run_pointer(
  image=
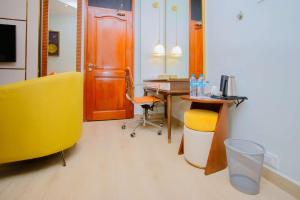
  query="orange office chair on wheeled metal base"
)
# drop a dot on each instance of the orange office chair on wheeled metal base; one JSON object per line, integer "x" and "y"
{"x": 146, "y": 102}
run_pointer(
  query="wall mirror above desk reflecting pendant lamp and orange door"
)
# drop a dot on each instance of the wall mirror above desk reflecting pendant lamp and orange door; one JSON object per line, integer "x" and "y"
{"x": 184, "y": 38}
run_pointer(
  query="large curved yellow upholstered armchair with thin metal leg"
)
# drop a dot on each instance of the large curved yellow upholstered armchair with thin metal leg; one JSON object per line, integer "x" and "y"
{"x": 40, "y": 117}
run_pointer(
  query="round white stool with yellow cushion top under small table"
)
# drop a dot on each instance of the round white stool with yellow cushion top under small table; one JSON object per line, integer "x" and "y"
{"x": 198, "y": 134}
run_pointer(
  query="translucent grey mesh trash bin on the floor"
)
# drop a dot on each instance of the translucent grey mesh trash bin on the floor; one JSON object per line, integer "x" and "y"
{"x": 245, "y": 161}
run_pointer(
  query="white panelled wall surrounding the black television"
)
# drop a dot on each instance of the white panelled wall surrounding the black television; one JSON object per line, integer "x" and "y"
{"x": 14, "y": 12}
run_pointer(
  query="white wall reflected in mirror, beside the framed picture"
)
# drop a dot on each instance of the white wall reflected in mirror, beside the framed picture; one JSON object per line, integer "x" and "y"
{"x": 66, "y": 25}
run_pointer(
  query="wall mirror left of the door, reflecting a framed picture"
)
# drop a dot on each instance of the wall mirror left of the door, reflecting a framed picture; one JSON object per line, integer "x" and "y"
{"x": 61, "y": 36}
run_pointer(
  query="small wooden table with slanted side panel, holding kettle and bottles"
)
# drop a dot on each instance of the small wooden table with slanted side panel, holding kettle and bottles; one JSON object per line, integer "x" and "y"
{"x": 217, "y": 156}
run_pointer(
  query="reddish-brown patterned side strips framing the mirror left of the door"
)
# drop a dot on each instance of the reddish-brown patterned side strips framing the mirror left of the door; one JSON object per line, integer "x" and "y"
{"x": 44, "y": 20}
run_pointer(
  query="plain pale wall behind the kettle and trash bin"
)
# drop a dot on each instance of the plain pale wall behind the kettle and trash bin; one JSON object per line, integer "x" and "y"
{"x": 262, "y": 51}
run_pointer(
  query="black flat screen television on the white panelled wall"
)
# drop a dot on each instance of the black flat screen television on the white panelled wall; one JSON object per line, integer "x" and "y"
{"x": 7, "y": 43}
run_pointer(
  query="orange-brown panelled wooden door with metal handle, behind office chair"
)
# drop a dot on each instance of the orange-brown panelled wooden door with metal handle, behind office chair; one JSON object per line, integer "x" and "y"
{"x": 109, "y": 52}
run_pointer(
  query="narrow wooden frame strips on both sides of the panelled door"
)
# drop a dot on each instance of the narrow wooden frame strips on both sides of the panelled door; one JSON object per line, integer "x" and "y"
{"x": 85, "y": 7}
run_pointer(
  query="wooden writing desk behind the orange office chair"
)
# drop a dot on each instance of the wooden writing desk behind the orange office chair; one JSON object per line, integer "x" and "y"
{"x": 168, "y": 88}
